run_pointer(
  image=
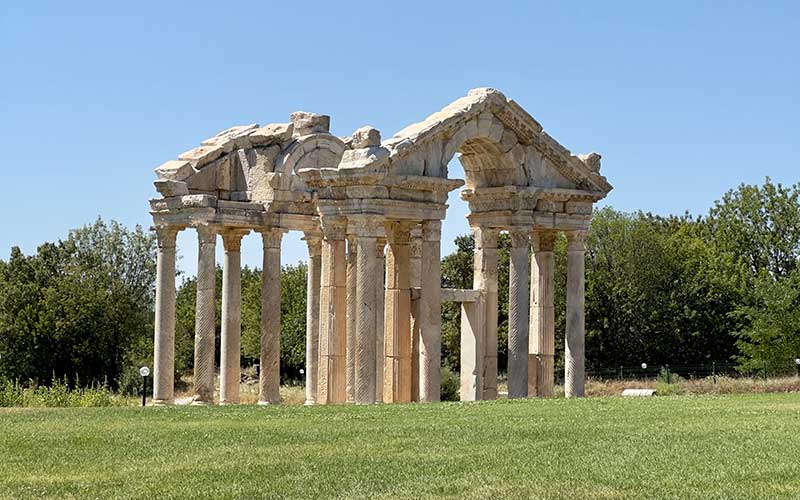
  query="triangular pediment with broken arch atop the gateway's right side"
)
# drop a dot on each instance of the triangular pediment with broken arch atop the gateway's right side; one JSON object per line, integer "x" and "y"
{"x": 499, "y": 144}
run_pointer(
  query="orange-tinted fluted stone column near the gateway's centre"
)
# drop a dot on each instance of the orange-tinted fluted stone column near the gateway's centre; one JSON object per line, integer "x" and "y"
{"x": 397, "y": 341}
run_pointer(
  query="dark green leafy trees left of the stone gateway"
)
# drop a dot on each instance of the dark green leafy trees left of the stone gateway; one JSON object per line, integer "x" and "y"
{"x": 79, "y": 309}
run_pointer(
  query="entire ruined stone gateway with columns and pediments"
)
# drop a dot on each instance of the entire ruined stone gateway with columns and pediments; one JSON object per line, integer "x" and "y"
{"x": 371, "y": 213}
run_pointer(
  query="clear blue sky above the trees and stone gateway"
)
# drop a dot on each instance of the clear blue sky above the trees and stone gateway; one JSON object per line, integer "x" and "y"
{"x": 684, "y": 100}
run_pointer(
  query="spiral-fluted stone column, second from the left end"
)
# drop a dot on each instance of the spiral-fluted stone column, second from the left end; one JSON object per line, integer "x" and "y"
{"x": 205, "y": 323}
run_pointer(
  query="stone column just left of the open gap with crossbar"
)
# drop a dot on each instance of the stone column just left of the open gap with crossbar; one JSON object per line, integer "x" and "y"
{"x": 430, "y": 313}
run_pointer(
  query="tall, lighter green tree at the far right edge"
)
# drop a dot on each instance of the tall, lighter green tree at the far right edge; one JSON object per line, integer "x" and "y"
{"x": 756, "y": 229}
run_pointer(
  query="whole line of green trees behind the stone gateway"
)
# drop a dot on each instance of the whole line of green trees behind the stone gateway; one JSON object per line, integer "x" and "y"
{"x": 724, "y": 286}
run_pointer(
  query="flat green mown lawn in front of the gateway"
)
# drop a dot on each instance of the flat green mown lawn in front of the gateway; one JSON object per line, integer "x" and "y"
{"x": 670, "y": 447}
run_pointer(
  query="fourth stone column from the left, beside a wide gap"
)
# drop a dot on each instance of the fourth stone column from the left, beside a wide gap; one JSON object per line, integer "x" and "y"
{"x": 270, "y": 379}
